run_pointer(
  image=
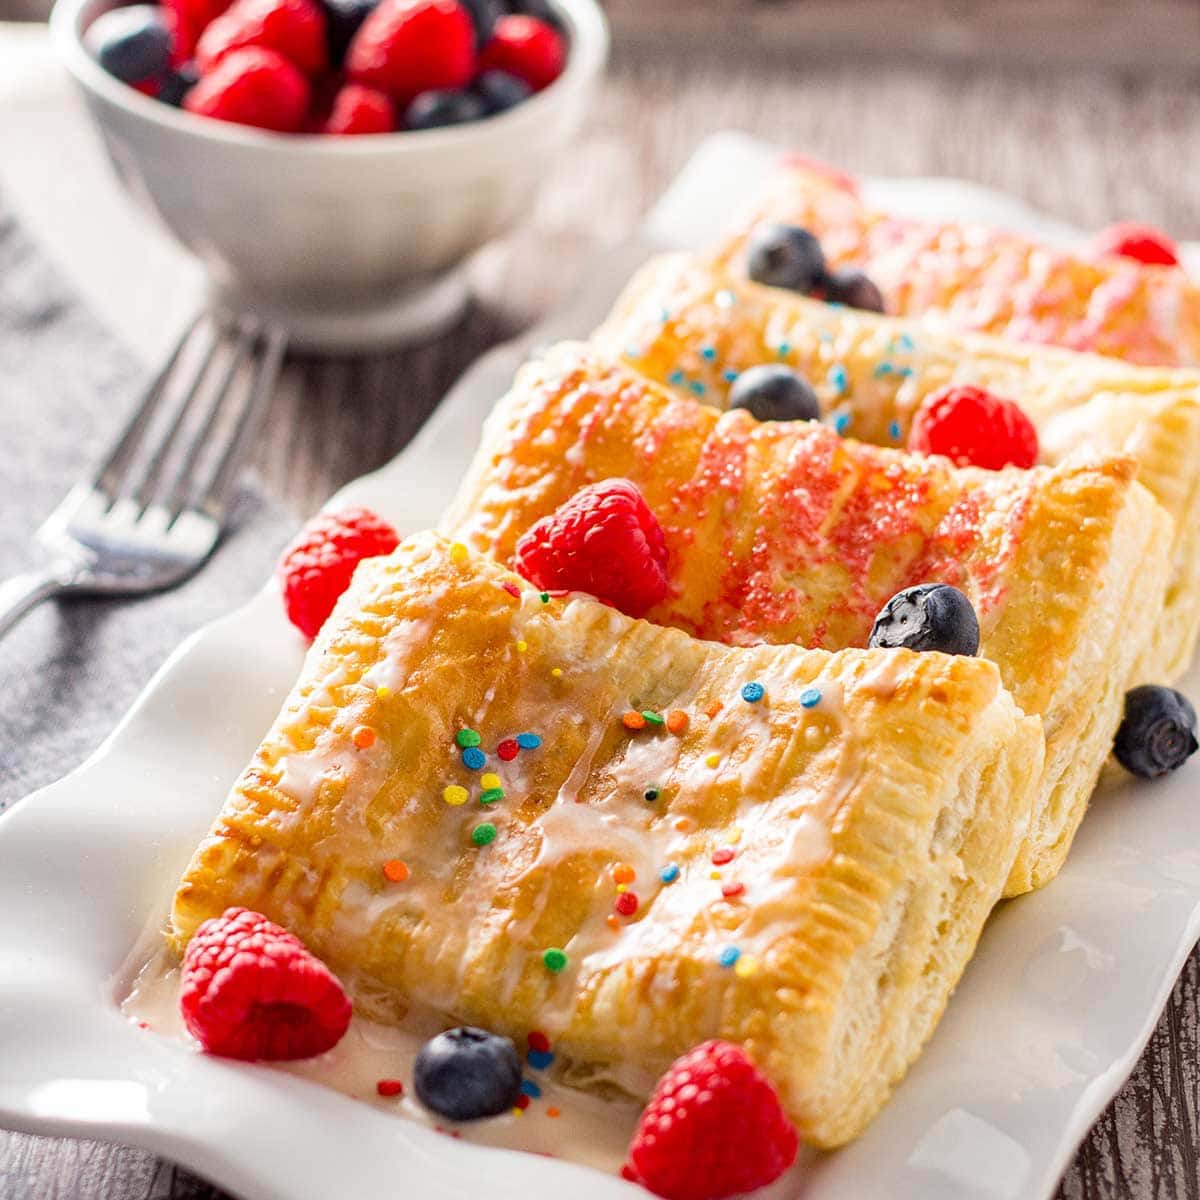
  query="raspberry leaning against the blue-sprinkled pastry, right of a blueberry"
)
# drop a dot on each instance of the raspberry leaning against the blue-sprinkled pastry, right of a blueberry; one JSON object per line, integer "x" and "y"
{"x": 975, "y": 429}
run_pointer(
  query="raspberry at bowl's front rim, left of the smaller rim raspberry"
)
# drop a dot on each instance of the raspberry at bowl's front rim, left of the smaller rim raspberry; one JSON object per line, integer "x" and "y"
{"x": 253, "y": 87}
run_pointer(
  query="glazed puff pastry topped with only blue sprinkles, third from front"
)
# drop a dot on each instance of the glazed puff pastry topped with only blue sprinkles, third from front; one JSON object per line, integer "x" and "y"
{"x": 689, "y": 325}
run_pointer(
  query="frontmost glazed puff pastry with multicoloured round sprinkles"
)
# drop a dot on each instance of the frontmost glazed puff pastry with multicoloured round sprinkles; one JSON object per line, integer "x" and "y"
{"x": 872, "y": 803}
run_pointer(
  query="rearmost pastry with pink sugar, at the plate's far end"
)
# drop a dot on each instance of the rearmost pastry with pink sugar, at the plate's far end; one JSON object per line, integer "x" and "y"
{"x": 986, "y": 280}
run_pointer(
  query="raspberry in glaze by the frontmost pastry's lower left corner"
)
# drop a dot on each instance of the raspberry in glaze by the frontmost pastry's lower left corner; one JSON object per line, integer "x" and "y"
{"x": 251, "y": 991}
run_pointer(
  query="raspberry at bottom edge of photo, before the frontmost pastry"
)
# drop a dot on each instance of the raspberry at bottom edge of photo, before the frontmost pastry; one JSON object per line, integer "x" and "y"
{"x": 713, "y": 1129}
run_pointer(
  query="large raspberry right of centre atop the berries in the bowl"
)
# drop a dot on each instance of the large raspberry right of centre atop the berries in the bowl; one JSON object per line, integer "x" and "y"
{"x": 407, "y": 47}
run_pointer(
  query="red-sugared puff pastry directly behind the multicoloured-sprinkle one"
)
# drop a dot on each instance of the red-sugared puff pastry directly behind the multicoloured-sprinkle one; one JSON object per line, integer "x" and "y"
{"x": 791, "y": 533}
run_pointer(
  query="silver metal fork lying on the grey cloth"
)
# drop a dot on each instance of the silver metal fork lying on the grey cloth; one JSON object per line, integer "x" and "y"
{"x": 155, "y": 509}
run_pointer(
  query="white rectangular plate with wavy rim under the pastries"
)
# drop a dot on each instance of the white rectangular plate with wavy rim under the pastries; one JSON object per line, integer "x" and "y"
{"x": 1053, "y": 1013}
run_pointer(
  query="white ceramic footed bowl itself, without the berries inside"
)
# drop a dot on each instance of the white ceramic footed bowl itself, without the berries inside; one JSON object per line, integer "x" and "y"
{"x": 353, "y": 242}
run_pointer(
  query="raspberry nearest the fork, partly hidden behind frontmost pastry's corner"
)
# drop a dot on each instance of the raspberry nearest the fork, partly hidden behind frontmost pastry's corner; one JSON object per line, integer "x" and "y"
{"x": 316, "y": 569}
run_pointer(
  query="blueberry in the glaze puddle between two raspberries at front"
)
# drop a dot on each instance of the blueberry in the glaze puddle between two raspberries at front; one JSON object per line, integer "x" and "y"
{"x": 465, "y": 1075}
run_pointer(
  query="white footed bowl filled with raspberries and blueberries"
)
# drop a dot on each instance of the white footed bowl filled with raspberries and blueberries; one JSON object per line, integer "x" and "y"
{"x": 334, "y": 164}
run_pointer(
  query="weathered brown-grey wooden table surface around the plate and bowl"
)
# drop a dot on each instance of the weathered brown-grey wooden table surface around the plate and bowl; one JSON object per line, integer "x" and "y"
{"x": 1091, "y": 147}
